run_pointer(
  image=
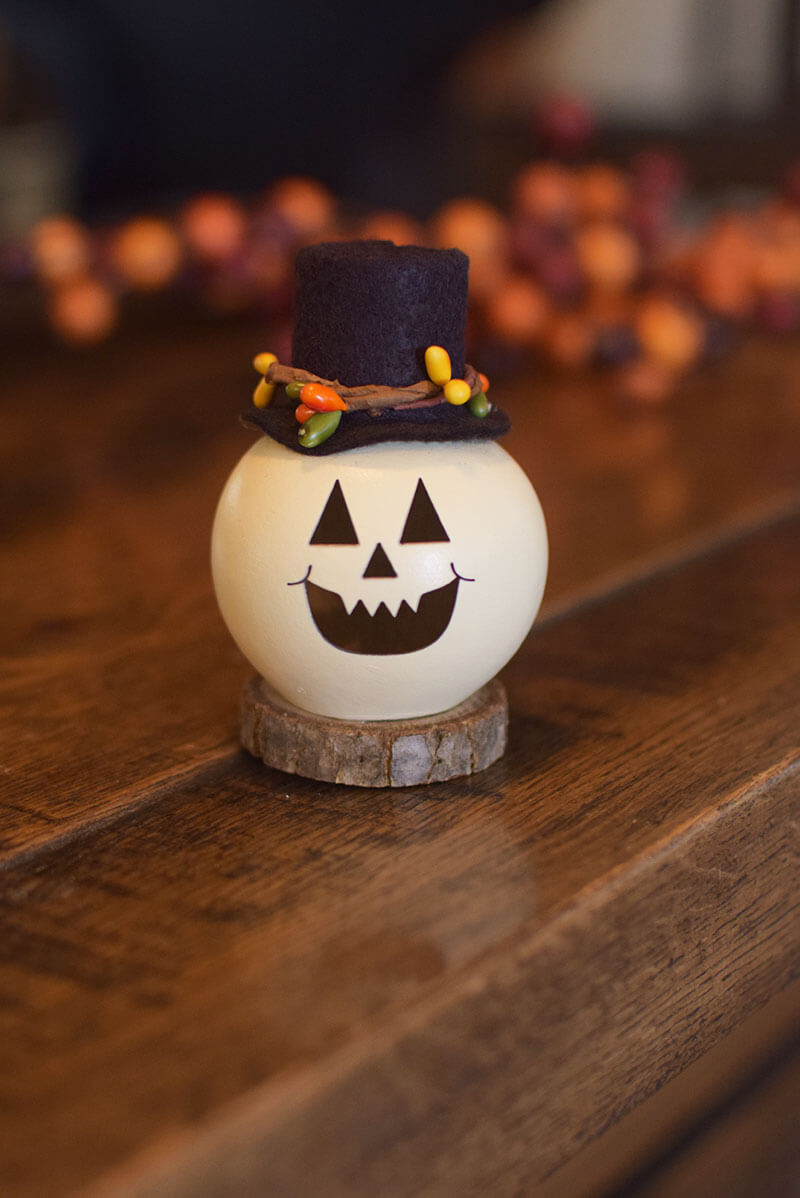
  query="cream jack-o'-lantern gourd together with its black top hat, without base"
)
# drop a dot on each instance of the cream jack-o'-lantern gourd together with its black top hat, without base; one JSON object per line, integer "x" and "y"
{"x": 377, "y": 555}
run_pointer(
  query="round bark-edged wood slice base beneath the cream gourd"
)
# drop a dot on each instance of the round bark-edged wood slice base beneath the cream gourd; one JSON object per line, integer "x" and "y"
{"x": 462, "y": 741}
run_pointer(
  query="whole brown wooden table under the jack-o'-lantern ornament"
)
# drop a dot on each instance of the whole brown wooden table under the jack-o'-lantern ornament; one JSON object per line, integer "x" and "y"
{"x": 217, "y": 979}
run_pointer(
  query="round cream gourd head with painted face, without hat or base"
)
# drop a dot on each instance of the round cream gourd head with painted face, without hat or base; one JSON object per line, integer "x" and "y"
{"x": 384, "y": 583}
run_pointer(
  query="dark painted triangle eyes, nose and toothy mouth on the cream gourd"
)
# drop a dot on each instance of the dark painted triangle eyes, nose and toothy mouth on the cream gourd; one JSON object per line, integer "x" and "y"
{"x": 409, "y": 630}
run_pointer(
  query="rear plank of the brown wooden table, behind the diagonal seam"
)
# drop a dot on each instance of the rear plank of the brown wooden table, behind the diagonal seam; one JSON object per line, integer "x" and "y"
{"x": 113, "y": 463}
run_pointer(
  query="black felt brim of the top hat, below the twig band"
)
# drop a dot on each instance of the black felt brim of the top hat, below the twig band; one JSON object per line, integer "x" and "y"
{"x": 443, "y": 422}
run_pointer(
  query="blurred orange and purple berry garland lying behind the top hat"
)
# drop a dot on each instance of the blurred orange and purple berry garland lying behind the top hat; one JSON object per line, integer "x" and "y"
{"x": 589, "y": 267}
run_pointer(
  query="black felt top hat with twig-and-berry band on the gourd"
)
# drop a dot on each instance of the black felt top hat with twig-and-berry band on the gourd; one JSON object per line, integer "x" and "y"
{"x": 366, "y": 313}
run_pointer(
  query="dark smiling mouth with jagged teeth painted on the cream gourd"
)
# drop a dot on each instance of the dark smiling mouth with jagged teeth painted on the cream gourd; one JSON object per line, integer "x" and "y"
{"x": 381, "y": 634}
